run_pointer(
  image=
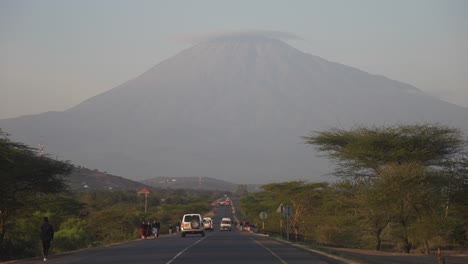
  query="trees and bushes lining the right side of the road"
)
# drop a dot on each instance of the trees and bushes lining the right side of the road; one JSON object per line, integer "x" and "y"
{"x": 399, "y": 188}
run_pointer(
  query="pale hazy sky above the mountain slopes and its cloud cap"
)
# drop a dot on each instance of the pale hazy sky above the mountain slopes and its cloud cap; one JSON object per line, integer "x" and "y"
{"x": 55, "y": 54}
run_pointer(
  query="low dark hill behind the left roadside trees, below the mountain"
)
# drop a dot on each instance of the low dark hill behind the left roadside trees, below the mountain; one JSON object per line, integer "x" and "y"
{"x": 82, "y": 179}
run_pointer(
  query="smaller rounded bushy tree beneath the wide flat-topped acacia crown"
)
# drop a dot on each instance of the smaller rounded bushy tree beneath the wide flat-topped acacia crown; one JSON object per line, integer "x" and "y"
{"x": 414, "y": 202}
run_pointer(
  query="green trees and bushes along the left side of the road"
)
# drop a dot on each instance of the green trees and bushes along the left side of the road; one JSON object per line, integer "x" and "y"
{"x": 33, "y": 186}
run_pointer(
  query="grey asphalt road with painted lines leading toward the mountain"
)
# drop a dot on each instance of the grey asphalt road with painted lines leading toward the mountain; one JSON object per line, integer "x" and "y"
{"x": 216, "y": 247}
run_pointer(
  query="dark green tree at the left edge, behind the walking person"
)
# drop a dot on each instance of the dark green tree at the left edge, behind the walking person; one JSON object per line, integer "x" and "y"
{"x": 24, "y": 175}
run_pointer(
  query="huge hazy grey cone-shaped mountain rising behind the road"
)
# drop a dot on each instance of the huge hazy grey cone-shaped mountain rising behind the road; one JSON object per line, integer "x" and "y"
{"x": 231, "y": 108}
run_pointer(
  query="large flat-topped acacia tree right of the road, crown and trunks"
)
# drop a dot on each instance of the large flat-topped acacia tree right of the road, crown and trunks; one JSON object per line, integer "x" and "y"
{"x": 363, "y": 155}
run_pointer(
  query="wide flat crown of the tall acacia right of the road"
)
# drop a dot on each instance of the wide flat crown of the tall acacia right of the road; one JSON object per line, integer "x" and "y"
{"x": 367, "y": 150}
